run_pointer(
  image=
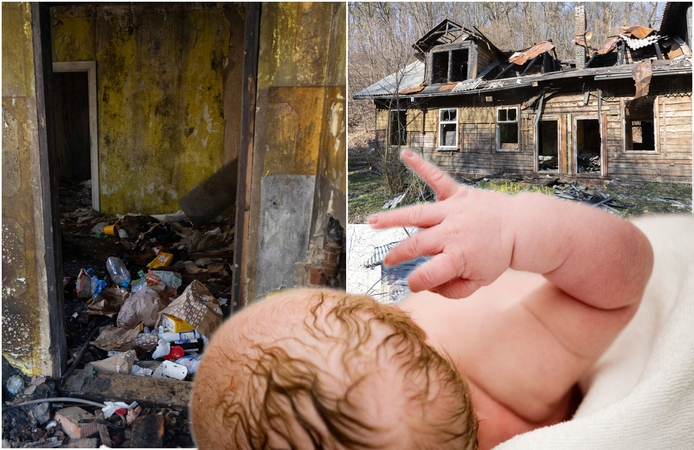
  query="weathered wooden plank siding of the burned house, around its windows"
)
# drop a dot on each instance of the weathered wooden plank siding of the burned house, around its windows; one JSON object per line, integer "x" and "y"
{"x": 477, "y": 155}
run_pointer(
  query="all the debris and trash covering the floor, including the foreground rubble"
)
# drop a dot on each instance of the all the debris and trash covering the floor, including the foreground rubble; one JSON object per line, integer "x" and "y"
{"x": 142, "y": 294}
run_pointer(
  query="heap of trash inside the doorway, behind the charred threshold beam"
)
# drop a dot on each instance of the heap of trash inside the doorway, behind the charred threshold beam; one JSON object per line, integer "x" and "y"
{"x": 164, "y": 290}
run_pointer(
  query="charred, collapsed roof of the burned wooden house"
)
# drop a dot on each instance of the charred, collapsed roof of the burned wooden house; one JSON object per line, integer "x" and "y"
{"x": 672, "y": 56}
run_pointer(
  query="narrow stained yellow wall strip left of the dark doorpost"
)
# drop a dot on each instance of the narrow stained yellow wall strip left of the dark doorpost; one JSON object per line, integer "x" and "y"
{"x": 25, "y": 325}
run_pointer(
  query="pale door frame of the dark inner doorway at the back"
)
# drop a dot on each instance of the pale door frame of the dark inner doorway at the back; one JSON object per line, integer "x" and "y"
{"x": 90, "y": 68}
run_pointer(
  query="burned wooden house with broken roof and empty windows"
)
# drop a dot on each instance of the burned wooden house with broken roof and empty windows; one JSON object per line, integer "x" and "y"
{"x": 621, "y": 111}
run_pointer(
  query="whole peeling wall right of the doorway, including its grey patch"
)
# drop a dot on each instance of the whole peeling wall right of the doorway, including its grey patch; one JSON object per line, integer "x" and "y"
{"x": 300, "y": 137}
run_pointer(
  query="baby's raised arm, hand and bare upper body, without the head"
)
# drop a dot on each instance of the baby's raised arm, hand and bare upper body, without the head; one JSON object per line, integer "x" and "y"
{"x": 530, "y": 355}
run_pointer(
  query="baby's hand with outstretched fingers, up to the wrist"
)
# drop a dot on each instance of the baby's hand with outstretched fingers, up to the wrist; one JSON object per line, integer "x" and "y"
{"x": 464, "y": 232}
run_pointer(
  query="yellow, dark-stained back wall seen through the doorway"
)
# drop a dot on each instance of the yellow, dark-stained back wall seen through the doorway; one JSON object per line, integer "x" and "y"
{"x": 160, "y": 100}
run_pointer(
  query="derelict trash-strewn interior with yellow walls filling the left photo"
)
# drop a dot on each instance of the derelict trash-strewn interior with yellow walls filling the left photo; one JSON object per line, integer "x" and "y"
{"x": 139, "y": 130}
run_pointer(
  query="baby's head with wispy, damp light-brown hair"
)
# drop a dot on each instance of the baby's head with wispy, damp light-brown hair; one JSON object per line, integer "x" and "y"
{"x": 325, "y": 369}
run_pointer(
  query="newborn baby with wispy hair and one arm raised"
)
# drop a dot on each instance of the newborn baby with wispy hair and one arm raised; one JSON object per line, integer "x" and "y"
{"x": 326, "y": 369}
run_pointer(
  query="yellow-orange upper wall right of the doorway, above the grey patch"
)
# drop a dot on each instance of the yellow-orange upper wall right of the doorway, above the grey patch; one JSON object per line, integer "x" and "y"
{"x": 301, "y": 68}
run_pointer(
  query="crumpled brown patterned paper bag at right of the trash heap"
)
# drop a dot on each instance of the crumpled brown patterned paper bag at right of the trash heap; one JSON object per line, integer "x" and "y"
{"x": 197, "y": 306}
